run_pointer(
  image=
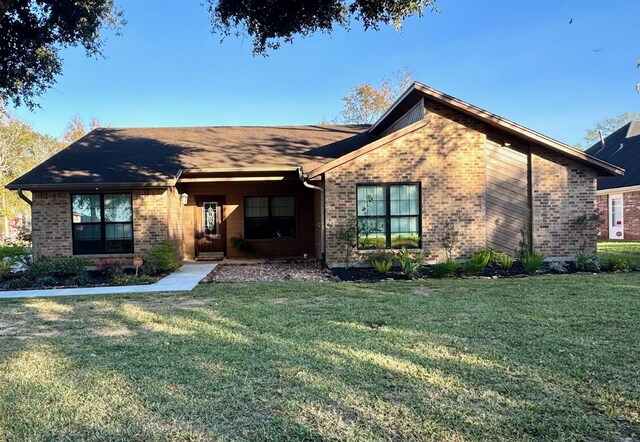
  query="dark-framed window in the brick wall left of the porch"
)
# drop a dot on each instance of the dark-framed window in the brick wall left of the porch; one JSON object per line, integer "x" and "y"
{"x": 102, "y": 223}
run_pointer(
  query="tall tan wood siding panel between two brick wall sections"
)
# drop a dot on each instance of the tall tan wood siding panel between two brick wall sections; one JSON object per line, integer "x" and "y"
{"x": 507, "y": 196}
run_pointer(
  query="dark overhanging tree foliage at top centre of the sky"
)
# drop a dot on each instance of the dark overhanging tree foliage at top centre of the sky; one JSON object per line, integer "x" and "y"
{"x": 271, "y": 22}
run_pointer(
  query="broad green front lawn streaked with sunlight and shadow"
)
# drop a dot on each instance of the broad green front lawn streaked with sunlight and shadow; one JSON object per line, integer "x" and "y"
{"x": 542, "y": 358}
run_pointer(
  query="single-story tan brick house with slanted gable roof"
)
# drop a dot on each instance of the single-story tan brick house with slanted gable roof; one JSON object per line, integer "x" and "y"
{"x": 430, "y": 160}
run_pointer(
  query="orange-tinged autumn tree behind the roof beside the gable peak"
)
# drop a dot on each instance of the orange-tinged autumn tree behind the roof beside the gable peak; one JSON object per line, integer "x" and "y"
{"x": 365, "y": 103}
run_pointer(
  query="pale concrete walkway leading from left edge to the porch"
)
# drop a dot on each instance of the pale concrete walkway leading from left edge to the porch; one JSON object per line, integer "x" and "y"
{"x": 184, "y": 280}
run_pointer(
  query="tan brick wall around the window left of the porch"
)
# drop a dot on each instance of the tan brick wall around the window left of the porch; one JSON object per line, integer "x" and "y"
{"x": 51, "y": 220}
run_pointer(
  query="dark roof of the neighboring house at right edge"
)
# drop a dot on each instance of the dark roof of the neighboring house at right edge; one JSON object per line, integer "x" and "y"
{"x": 621, "y": 148}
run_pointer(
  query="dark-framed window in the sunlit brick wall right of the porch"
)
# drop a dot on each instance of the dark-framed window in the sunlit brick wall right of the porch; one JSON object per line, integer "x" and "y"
{"x": 388, "y": 216}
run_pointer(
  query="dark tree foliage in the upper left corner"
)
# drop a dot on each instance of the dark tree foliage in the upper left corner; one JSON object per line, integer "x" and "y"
{"x": 32, "y": 33}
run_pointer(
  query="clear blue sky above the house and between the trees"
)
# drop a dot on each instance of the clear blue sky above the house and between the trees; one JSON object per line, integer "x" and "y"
{"x": 521, "y": 60}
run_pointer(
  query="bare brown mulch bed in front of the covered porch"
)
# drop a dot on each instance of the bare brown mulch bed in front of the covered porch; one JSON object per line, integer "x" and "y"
{"x": 288, "y": 270}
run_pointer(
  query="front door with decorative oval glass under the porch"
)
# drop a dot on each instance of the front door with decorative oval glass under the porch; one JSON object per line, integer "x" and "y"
{"x": 210, "y": 227}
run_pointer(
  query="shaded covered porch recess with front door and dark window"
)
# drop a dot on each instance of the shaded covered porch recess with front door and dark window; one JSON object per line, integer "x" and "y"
{"x": 248, "y": 213}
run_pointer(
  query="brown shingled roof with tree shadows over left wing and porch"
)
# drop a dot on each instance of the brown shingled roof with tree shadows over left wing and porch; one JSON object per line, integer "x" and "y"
{"x": 144, "y": 156}
